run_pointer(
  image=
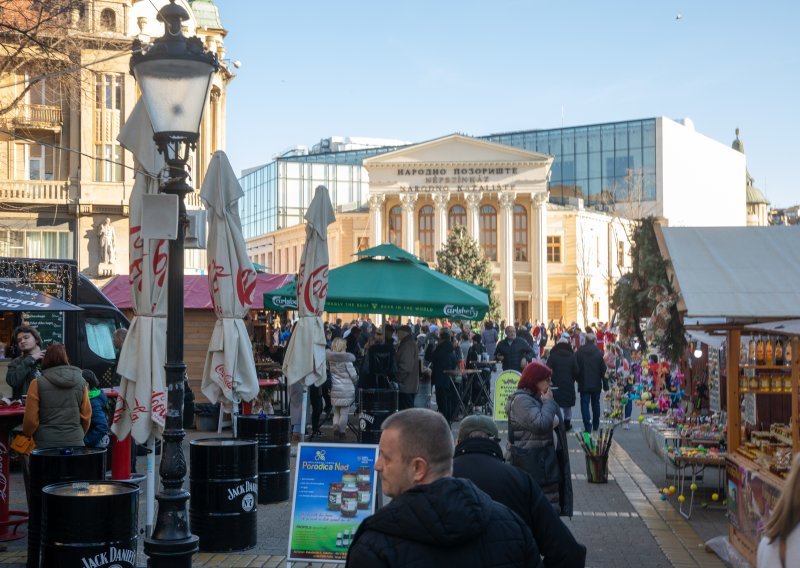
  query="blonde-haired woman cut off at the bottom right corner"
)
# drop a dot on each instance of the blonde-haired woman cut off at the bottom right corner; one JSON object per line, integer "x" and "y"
{"x": 780, "y": 544}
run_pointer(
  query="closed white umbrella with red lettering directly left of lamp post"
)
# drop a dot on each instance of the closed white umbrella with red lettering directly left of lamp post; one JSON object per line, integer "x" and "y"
{"x": 141, "y": 405}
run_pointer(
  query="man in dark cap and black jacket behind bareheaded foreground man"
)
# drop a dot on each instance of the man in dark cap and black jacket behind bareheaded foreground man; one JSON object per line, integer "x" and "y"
{"x": 478, "y": 457}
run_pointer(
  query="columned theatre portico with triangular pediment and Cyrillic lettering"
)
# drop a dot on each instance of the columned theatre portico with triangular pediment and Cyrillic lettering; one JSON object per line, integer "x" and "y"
{"x": 419, "y": 193}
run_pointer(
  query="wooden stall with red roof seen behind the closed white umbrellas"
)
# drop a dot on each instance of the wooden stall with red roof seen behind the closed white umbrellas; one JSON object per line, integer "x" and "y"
{"x": 199, "y": 316}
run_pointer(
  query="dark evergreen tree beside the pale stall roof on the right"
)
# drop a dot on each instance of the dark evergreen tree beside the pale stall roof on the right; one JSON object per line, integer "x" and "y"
{"x": 646, "y": 294}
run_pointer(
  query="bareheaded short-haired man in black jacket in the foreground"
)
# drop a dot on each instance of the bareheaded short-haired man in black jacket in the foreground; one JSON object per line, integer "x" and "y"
{"x": 435, "y": 519}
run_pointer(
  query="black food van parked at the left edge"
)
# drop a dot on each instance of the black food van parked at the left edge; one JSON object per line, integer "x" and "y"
{"x": 86, "y": 334}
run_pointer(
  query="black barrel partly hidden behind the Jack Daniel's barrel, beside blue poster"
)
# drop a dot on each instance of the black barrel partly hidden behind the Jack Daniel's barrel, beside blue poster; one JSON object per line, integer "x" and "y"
{"x": 272, "y": 434}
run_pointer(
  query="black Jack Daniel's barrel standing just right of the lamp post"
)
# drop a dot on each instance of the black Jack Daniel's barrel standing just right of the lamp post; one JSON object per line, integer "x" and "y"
{"x": 224, "y": 493}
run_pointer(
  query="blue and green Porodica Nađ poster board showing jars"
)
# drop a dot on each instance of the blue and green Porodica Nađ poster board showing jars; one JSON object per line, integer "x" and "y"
{"x": 334, "y": 490}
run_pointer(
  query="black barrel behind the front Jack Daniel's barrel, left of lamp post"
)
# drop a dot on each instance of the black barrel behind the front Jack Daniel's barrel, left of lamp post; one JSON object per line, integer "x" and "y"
{"x": 56, "y": 465}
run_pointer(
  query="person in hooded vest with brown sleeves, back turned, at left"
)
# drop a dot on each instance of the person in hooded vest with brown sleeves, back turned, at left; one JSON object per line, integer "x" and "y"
{"x": 57, "y": 411}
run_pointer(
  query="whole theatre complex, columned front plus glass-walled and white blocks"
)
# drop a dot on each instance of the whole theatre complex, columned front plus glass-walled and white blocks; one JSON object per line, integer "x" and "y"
{"x": 536, "y": 201}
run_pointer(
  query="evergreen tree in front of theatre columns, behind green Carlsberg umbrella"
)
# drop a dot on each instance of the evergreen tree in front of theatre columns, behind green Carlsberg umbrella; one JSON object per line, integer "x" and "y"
{"x": 462, "y": 258}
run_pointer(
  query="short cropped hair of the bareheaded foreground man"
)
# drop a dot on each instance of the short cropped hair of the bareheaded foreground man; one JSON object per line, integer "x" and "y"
{"x": 426, "y": 434}
